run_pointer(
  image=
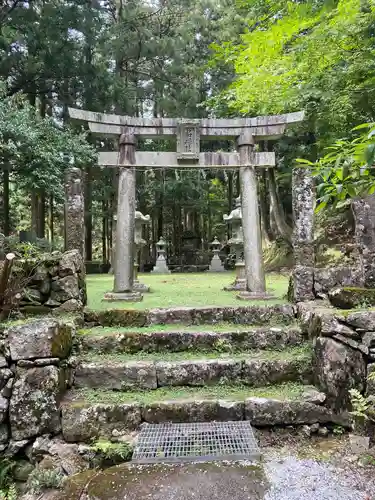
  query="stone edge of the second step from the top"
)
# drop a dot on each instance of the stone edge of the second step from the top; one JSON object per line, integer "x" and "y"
{"x": 222, "y": 338}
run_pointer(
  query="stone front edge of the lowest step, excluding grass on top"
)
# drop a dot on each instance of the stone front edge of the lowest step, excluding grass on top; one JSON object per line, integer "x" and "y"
{"x": 84, "y": 422}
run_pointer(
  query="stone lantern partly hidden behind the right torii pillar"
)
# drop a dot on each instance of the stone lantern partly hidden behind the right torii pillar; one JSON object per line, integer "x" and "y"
{"x": 234, "y": 219}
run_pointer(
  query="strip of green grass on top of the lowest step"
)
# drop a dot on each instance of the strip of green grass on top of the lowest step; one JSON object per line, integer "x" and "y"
{"x": 228, "y": 392}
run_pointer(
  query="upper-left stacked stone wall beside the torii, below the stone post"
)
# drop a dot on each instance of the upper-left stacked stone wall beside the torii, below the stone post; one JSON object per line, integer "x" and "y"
{"x": 54, "y": 283}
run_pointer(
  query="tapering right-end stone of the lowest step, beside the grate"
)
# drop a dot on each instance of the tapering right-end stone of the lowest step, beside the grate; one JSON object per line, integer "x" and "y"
{"x": 269, "y": 412}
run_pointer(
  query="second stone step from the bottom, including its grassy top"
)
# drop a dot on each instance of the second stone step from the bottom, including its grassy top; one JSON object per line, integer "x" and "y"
{"x": 257, "y": 368}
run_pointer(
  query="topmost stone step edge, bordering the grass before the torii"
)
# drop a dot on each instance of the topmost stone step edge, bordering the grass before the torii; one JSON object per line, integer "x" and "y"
{"x": 250, "y": 315}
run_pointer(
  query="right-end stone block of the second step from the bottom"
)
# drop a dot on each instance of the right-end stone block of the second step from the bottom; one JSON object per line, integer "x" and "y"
{"x": 262, "y": 372}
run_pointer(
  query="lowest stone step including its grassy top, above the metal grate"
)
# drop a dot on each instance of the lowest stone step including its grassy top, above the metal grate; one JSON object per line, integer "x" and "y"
{"x": 93, "y": 414}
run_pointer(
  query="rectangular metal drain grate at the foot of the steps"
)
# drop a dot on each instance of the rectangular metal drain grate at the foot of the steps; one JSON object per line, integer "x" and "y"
{"x": 211, "y": 441}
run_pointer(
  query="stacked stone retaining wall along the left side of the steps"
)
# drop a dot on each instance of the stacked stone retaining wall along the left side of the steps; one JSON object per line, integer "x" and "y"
{"x": 33, "y": 378}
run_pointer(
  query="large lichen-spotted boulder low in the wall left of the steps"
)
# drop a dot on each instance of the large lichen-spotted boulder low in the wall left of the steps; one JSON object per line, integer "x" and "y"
{"x": 34, "y": 406}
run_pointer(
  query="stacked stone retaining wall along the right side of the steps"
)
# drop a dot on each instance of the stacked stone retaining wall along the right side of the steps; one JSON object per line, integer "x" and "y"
{"x": 344, "y": 350}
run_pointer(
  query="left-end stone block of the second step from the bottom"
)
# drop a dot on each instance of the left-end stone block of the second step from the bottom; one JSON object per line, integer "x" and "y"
{"x": 116, "y": 375}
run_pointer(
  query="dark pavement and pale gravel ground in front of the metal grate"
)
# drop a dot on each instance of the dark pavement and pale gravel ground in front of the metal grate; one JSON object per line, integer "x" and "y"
{"x": 281, "y": 475}
